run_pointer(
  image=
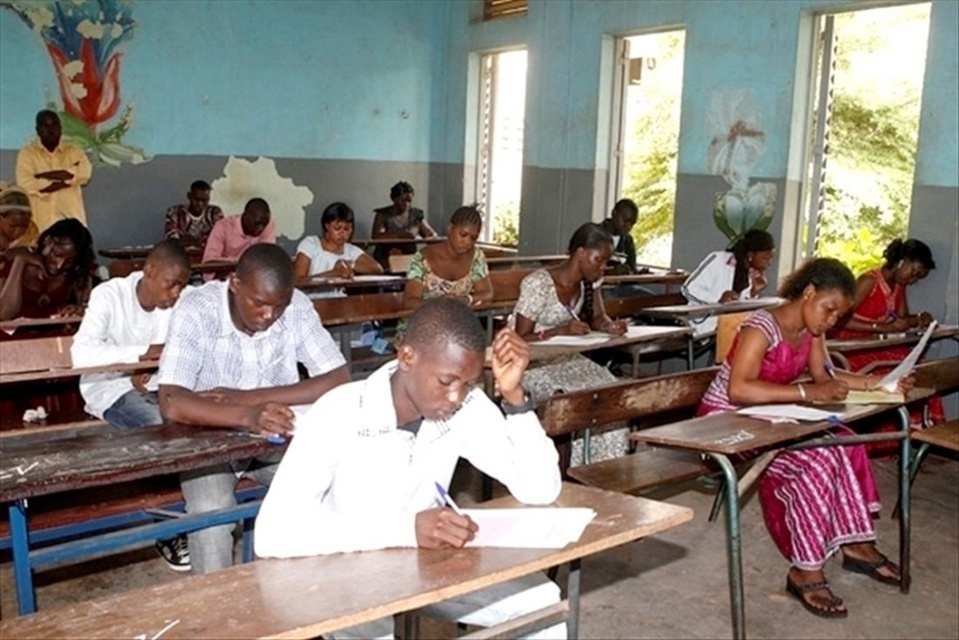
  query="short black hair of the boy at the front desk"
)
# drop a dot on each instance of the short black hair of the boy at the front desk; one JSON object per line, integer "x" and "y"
{"x": 440, "y": 321}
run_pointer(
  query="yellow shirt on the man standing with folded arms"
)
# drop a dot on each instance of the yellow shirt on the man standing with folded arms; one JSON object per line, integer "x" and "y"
{"x": 65, "y": 203}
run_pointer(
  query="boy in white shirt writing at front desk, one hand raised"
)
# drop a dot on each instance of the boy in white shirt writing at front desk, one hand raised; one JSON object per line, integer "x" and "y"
{"x": 360, "y": 473}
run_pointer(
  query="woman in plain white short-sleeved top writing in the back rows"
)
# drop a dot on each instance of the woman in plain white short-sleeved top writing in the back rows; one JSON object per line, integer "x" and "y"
{"x": 331, "y": 254}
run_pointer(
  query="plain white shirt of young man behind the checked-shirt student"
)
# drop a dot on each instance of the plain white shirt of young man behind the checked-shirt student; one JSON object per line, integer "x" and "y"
{"x": 115, "y": 329}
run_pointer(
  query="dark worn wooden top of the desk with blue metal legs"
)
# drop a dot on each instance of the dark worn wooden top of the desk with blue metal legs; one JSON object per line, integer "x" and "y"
{"x": 36, "y": 465}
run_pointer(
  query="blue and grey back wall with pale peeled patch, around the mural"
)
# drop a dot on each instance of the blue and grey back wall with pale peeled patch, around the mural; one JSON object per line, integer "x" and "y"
{"x": 339, "y": 94}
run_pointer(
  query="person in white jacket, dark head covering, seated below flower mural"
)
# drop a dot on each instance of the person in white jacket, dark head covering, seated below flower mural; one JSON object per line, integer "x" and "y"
{"x": 727, "y": 276}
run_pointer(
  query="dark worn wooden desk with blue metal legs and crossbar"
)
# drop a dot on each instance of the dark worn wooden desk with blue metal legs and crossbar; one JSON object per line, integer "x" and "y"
{"x": 32, "y": 466}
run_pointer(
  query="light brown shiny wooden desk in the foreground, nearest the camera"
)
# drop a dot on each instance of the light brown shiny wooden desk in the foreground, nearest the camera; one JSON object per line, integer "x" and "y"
{"x": 310, "y": 597}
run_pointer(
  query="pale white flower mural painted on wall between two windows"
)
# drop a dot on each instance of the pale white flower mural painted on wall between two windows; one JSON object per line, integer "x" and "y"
{"x": 737, "y": 142}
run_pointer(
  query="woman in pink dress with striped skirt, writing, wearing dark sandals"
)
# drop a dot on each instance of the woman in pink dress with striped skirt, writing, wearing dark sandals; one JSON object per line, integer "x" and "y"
{"x": 815, "y": 501}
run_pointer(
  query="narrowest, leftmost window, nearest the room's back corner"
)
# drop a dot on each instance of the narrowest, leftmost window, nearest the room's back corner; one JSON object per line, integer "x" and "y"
{"x": 499, "y": 143}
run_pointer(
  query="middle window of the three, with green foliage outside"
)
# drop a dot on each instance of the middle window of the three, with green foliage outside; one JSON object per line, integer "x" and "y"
{"x": 645, "y": 137}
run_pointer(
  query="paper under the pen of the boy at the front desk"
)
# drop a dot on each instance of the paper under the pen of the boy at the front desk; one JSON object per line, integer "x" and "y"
{"x": 529, "y": 527}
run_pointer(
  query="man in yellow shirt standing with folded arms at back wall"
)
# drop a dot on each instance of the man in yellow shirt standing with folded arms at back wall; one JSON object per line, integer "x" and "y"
{"x": 52, "y": 172}
